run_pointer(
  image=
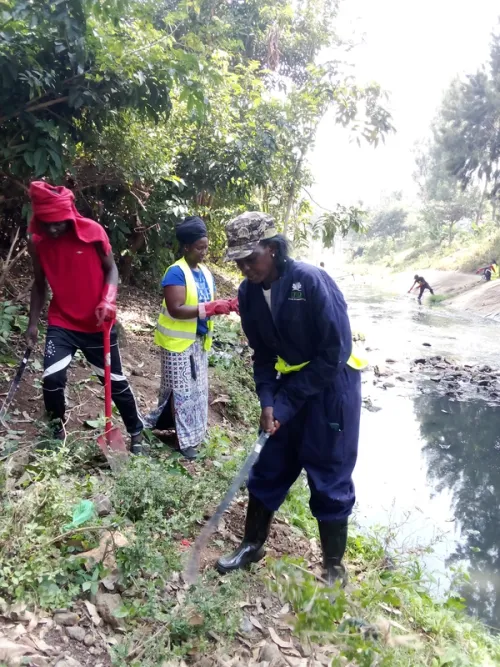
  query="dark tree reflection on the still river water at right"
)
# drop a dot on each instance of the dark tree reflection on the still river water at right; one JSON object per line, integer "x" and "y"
{"x": 463, "y": 454}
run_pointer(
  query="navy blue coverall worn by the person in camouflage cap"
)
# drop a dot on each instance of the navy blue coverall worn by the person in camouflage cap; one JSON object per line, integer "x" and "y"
{"x": 319, "y": 406}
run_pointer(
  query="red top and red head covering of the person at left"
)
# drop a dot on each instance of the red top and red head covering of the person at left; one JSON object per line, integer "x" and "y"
{"x": 71, "y": 263}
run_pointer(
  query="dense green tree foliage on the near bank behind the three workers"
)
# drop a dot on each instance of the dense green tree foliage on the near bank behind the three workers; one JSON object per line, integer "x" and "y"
{"x": 151, "y": 109}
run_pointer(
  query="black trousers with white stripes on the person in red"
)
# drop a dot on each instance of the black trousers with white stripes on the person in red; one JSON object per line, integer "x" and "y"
{"x": 60, "y": 347}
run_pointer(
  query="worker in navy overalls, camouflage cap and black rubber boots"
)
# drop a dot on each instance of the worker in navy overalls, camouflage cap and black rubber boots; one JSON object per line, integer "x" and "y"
{"x": 295, "y": 318}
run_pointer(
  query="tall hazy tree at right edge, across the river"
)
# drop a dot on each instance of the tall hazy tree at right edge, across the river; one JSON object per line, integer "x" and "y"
{"x": 461, "y": 166}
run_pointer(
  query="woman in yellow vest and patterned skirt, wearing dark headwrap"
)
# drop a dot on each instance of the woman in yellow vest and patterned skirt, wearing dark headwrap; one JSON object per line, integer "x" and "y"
{"x": 184, "y": 334}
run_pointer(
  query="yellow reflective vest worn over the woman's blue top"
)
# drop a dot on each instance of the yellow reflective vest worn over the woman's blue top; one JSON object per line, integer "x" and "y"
{"x": 178, "y": 335}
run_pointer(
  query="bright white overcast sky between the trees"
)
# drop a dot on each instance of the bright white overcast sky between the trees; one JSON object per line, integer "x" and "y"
{"x": 413, "y": 49}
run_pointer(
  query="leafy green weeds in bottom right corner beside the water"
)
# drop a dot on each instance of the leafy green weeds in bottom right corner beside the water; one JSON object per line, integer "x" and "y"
{"x": 388, "y": 618}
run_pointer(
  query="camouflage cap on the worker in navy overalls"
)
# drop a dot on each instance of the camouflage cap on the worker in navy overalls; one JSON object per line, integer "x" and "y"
{"x": 246, "y": 231}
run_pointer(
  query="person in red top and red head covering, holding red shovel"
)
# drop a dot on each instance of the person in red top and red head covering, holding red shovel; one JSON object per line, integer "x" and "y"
{"x": 73, "y": 255}
